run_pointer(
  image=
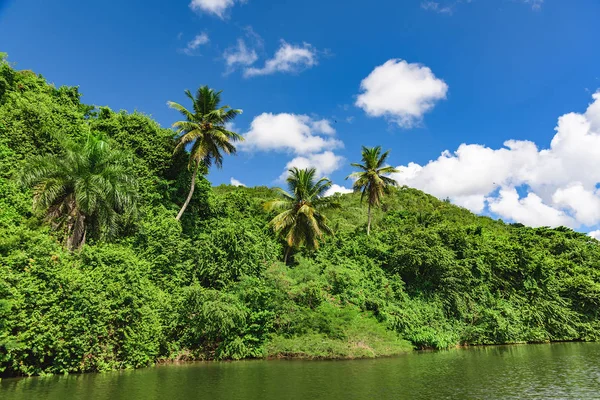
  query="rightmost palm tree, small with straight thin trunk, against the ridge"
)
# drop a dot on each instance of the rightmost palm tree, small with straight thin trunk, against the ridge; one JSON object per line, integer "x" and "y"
{"x": 371, "y": 180}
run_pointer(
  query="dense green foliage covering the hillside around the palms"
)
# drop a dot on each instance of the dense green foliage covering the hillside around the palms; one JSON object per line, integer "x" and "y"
{"x": 214, "y": 285}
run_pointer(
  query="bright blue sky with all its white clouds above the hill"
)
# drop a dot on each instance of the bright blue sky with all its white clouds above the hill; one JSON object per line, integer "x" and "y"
{"x": 434, "y": 75}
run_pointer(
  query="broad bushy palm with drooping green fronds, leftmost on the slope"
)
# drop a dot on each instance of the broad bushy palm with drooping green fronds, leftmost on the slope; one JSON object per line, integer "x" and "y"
{"x": 88, "y": 188}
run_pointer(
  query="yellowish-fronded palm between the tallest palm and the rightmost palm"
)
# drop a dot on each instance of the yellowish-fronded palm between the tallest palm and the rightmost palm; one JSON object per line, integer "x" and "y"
{"x": 300, "y": 221}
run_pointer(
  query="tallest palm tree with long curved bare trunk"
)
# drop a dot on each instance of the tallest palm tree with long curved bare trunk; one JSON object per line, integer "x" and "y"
{"x": 204, "y": 128}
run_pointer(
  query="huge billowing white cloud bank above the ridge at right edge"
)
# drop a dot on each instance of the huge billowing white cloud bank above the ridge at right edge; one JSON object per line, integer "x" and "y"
{"x": 559, "y": 183}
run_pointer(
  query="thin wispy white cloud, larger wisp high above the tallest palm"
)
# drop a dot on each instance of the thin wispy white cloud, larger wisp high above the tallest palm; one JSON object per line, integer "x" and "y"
{"x": 288, "y": 58}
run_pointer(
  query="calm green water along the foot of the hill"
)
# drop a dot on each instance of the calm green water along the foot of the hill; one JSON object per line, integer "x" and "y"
{"x": 556, "y": 371}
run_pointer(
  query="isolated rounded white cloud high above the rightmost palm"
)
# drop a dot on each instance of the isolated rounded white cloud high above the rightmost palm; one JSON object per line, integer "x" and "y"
{"x": 401, "y": 92}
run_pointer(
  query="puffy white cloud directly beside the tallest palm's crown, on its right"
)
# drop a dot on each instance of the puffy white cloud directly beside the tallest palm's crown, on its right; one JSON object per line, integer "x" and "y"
{"x": 293, "y": 133}
